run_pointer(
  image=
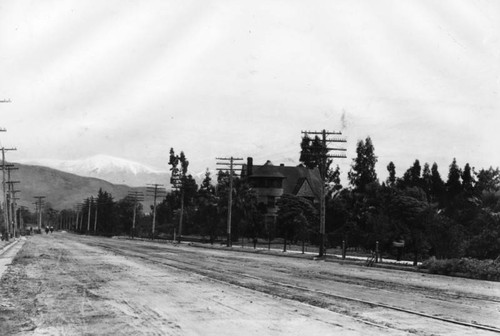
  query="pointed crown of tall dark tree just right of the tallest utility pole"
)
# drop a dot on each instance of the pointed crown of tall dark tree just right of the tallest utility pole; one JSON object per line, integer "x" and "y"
{"x": 363, "y": 168}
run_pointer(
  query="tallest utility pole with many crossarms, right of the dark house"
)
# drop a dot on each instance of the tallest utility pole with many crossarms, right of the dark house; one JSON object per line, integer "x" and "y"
{"x": 324, "y": 163}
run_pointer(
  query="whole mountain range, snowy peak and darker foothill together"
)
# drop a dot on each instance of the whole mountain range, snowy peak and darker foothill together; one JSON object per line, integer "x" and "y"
{"x": 66, "y": 183}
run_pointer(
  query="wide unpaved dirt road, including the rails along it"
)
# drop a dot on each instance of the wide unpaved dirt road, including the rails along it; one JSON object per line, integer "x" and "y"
{"x": 65, "y": 284}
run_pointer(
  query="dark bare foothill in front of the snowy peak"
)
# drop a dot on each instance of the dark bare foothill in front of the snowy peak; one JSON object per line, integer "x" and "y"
{"x": 64, "y": 190}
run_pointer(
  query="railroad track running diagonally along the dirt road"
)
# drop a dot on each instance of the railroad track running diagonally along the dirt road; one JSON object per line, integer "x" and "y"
{"x": 267, "y": 285}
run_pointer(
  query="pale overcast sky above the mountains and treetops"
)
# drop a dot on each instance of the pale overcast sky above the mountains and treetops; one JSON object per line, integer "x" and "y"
{"x": 133, "y": 78}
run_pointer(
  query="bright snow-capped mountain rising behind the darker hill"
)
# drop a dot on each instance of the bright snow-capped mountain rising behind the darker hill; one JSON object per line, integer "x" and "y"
{"x": 109, "y": 168}
